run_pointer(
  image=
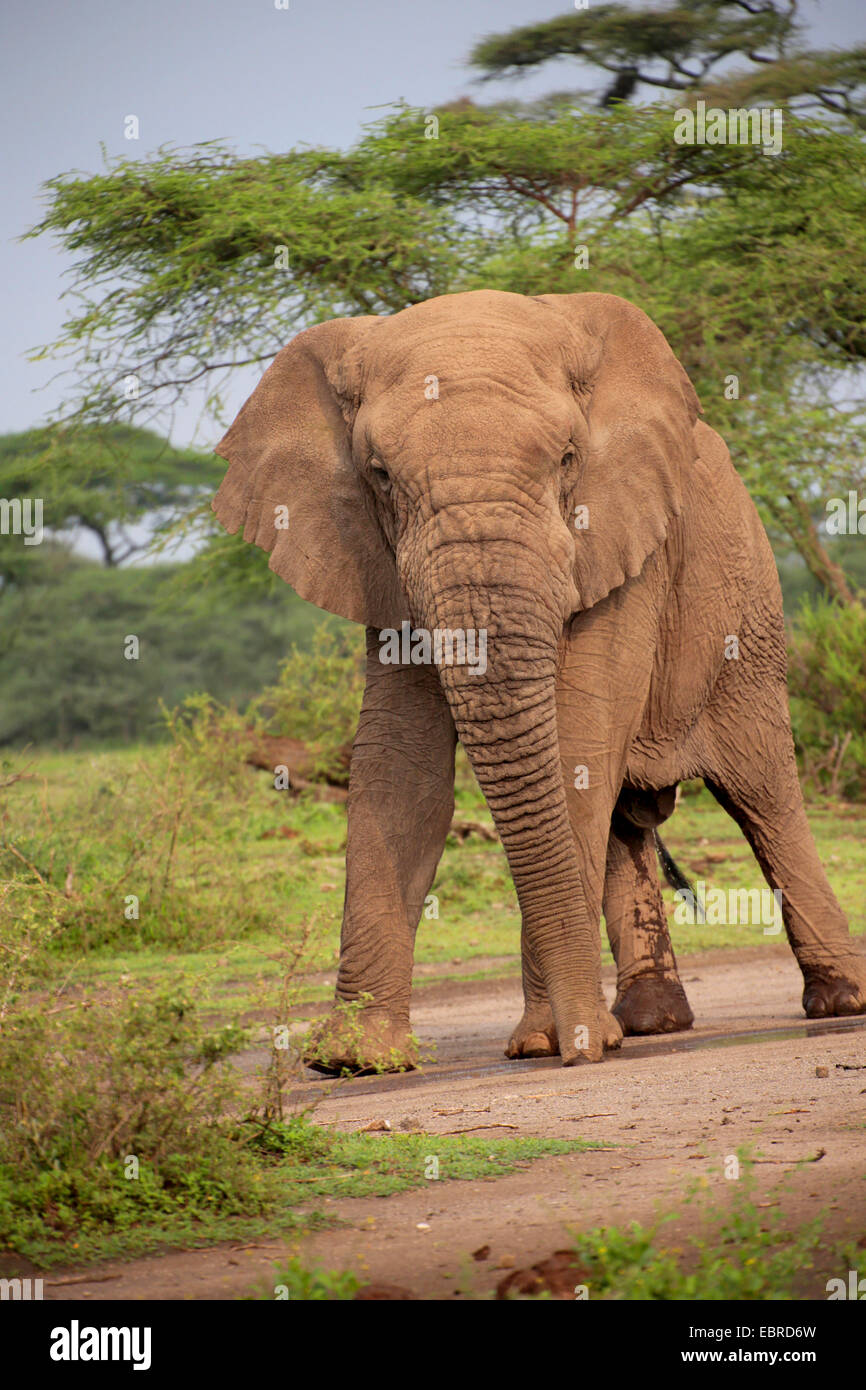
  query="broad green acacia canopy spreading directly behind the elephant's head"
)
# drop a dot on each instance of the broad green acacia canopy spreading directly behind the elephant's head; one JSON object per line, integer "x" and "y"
{"x": 197, "y": 262}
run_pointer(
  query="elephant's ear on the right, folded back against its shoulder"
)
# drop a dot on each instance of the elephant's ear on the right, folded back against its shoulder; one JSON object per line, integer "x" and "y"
{"x": 640, "y": 411}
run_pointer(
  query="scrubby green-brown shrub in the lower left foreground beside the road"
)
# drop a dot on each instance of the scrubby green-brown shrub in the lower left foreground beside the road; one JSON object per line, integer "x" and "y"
{"x": 122, "y": 1113}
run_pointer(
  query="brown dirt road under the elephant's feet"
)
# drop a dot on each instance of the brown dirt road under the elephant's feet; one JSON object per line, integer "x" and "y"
{"x": 668, "y": 1111}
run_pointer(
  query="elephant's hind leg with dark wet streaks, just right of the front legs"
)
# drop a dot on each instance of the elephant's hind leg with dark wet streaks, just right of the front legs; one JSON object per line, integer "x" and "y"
{"x": 650, "y": 997}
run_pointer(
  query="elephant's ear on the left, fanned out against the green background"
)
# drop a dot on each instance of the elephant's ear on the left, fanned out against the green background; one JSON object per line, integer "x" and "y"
{"x": 293, "y": 484}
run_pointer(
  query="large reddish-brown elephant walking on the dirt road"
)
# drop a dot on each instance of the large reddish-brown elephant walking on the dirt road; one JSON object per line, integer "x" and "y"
{"x": 532, "y": 473}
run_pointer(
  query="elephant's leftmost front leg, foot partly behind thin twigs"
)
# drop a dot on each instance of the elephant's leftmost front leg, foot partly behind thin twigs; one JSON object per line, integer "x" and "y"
{"x": 400, "y": 811}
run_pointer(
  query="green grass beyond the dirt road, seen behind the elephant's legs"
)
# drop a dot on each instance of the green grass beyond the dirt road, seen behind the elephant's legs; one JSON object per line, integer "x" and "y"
{"x": 254, "y": 862}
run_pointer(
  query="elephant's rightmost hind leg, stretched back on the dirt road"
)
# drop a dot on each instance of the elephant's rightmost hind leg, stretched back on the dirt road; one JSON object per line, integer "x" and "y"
{"x": 762, "y": 794}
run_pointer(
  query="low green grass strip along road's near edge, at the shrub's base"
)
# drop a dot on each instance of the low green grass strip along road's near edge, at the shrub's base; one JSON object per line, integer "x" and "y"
{"x": 291, "y": 1178}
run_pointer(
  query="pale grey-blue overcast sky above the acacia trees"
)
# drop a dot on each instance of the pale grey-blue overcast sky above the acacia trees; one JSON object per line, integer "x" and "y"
{"x": 240, "y": 72}
